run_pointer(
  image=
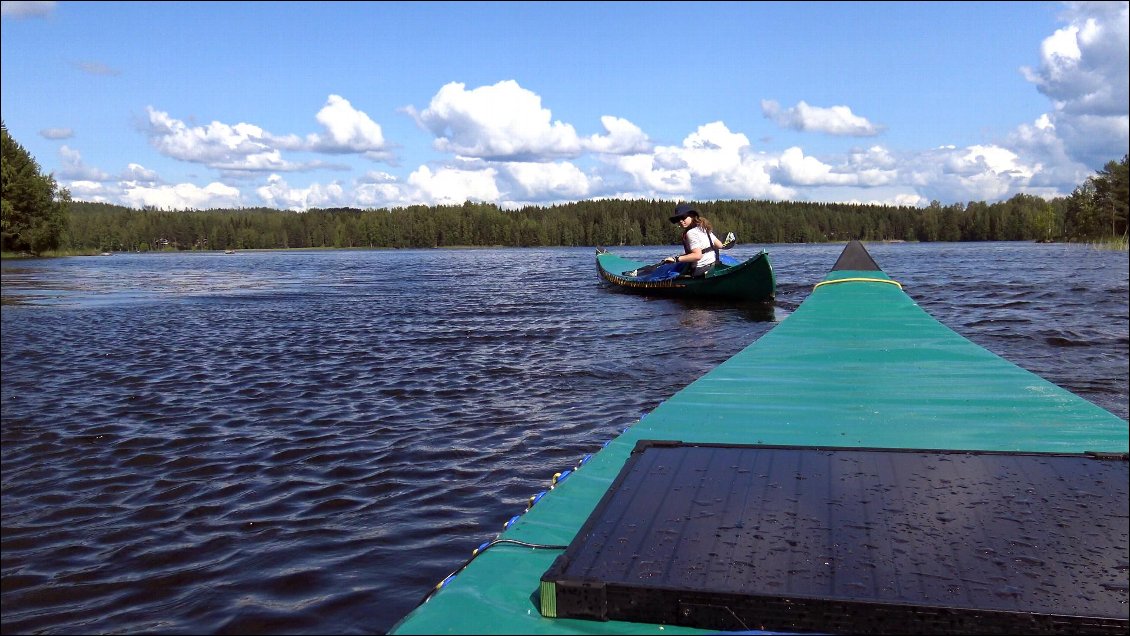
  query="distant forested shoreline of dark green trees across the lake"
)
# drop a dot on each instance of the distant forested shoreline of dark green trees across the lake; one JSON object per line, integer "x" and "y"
{"x": 1024, "y": 217}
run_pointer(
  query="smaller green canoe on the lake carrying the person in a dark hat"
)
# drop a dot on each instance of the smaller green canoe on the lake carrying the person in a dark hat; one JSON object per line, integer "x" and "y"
{"x": 749, "y": 281}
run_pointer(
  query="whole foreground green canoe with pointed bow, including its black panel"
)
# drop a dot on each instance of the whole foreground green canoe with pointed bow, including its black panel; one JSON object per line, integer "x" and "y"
{"x": 862, "y": 468}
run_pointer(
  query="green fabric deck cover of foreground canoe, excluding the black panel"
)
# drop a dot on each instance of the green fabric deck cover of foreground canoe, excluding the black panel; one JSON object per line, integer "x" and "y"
{"x": 859, "y": 364}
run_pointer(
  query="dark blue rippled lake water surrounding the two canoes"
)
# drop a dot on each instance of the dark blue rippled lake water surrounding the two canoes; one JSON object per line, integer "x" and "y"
{"x": 308, "y": 442}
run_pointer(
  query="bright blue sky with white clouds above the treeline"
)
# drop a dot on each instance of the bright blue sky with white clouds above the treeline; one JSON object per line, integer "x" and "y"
{"x": 299, "y": 106}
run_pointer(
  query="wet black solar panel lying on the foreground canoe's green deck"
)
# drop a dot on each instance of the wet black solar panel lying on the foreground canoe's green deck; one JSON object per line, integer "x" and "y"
{"x": 854, "y": 541}
